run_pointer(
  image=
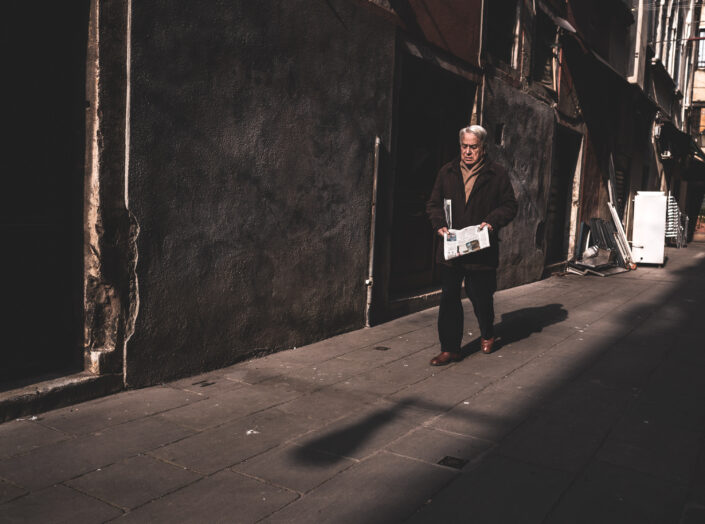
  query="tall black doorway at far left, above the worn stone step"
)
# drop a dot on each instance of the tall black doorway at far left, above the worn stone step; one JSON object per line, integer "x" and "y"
{"x": 41, "y": 220}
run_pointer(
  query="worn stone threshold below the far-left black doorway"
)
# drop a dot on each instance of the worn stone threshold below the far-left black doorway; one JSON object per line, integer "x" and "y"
{"x": 55, "y": 393}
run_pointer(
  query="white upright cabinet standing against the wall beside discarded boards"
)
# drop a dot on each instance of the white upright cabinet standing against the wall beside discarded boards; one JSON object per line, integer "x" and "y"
{"x": 649, "y": 231}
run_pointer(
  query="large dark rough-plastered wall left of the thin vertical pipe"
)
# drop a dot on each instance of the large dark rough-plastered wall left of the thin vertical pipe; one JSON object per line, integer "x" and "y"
{"x": 252, "y": 139}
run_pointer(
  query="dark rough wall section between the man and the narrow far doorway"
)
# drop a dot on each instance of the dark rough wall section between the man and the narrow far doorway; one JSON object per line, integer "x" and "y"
{"x": 525, "y": 151}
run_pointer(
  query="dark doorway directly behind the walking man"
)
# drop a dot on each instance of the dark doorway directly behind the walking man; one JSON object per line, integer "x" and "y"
{"x": 433, "y": 105}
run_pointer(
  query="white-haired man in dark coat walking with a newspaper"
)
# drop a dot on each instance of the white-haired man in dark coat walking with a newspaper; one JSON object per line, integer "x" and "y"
{"x": 481, "y": 193}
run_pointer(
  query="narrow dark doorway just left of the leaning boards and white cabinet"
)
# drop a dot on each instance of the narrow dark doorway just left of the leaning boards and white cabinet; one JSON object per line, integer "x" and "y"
{"x": 565, "y": 158}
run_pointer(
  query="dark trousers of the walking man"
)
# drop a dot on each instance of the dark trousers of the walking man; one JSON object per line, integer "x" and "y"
{"x": 480, "y": 287}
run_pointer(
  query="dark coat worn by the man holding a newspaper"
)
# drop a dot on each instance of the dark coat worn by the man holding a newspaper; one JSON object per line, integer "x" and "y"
{"x": 492, "y": 200}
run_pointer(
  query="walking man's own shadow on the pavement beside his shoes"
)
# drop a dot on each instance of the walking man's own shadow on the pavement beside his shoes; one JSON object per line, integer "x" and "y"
{"x": 520, "y": 324}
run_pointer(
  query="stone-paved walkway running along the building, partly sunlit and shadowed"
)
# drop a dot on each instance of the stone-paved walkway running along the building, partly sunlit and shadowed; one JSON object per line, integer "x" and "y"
{"x": 591, "y": 410}
